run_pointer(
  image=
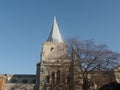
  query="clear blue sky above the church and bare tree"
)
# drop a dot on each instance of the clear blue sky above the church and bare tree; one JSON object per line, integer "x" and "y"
{"x": 25, "y": 25}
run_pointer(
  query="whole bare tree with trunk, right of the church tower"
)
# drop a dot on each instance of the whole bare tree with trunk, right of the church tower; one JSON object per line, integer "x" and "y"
{"x": 90, "y": 58}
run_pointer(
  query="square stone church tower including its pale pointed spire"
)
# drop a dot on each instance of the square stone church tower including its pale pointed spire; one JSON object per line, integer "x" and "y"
{"x": 54, "y": 65}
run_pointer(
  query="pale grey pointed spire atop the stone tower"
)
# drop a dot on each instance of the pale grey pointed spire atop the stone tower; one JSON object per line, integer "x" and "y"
{"x": 55, "y": 35}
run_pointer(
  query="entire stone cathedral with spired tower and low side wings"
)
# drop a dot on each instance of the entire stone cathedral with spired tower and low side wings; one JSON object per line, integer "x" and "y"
{"x": 55, "y": 71}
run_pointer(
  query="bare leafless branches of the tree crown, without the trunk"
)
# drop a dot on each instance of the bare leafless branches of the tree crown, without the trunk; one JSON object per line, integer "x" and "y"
{"x": 91, "y": 55}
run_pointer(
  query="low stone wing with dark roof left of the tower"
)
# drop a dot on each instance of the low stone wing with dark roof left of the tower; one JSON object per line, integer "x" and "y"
{"x": 18, "y": 82}
